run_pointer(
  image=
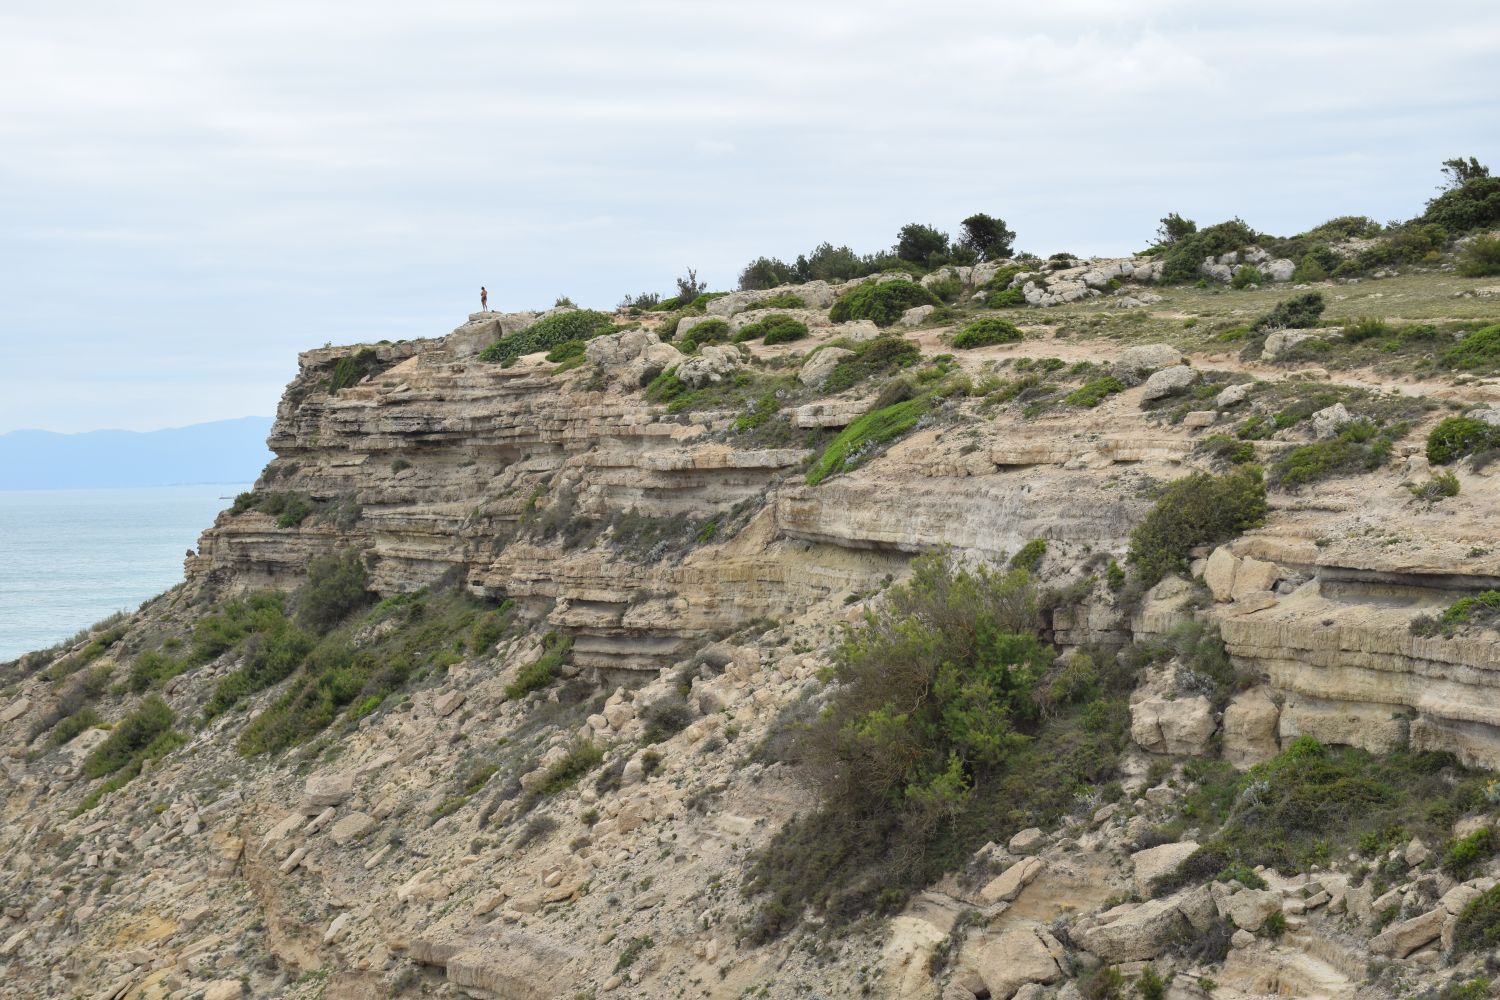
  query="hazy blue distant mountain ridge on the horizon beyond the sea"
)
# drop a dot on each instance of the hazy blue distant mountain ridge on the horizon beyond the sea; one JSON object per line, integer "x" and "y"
{"x": 217, "y": 452}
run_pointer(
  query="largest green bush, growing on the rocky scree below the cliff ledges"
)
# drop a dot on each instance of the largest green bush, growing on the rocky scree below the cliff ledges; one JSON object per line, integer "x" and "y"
{"x": 931, "y": 746}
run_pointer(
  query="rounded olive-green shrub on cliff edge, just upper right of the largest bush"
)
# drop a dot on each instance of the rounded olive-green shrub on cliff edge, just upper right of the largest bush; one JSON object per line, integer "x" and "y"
{"x": 1198, "y": 510}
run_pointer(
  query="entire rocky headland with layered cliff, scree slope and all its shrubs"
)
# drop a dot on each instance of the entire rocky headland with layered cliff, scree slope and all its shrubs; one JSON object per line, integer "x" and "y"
{"x": 946, "y": 621}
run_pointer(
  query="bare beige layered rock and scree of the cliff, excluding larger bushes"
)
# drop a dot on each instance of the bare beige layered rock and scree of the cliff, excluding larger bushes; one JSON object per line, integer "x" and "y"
{"x": 653, "y": 513}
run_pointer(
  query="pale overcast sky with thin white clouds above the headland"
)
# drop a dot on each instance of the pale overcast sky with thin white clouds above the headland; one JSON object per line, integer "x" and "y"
{"x": 191, "y": 194}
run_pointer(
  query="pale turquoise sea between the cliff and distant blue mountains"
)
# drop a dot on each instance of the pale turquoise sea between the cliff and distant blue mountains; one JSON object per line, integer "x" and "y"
{"x": 71, "y": 558}
